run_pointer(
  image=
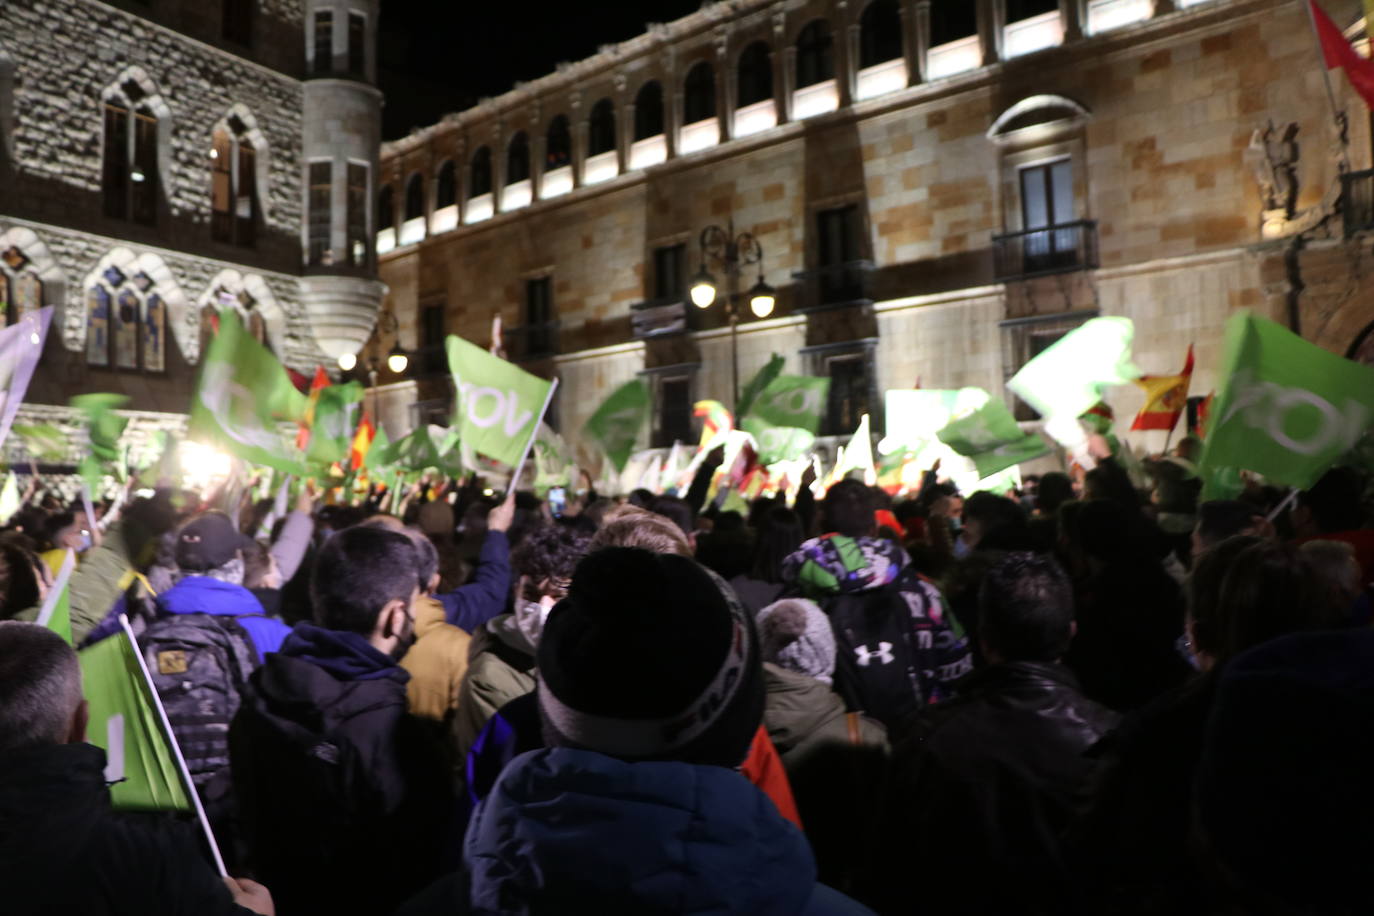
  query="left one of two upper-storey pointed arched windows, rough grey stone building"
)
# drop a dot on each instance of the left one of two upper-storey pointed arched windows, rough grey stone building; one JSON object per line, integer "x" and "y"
{"x": 130, "y": 170}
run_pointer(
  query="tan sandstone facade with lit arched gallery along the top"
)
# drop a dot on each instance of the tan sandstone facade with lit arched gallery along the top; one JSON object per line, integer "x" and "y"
{"x": 939, "y": 190}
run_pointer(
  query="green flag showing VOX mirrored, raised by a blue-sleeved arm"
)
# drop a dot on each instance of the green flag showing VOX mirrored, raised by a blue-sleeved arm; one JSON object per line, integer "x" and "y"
{"x": 498, "y": 403}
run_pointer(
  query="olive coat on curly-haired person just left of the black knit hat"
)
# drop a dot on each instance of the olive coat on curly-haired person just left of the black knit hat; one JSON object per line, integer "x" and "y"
{"x": 501, "y": 667}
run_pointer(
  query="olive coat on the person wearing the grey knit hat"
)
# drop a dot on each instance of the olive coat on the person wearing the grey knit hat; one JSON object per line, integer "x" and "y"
{"x": 835, "y": 764}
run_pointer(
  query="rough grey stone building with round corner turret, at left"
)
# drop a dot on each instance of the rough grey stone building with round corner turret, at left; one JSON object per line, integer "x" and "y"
{"x": 161, "y": 160}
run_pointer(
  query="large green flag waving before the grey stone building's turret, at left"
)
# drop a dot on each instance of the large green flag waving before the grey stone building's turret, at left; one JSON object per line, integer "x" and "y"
{"x": 243, "y": 398}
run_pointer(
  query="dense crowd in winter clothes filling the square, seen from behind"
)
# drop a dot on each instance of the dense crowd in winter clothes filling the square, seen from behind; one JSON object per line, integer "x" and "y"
{"x": 1082, "y": 697}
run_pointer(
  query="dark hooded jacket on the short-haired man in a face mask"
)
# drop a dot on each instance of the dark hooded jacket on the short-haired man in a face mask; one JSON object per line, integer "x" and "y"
{"x": 344, "y": 796}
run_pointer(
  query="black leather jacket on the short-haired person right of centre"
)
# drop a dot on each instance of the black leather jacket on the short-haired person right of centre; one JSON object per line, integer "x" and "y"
{"x": 982, "y": 790}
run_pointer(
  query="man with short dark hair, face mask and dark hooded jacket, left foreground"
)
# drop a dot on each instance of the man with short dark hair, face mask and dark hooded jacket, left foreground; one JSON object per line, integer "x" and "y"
{"x": 335, "y": 778}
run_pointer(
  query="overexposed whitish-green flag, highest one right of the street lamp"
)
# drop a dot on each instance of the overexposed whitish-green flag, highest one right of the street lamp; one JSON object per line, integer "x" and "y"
{"x": 1068, "y": 378}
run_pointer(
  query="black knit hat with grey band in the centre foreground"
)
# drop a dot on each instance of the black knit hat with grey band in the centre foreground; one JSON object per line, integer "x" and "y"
{"x": 651, "y": 657}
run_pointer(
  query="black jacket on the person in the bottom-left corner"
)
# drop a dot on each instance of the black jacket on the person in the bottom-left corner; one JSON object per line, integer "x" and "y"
{"x": 63, "y": 851}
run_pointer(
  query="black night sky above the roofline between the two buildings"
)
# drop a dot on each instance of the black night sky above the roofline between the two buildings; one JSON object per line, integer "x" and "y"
{"x": 443, "y": 56}
